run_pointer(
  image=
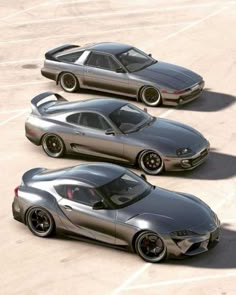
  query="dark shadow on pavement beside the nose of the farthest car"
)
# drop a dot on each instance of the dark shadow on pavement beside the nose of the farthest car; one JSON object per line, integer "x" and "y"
{"x": 209, "y": 101}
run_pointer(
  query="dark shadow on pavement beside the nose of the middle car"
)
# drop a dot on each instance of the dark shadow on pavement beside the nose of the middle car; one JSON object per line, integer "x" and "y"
{"x": 217, "y": 166}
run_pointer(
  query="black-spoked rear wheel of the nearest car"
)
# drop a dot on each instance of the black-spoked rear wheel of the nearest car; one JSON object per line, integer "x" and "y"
{"x": 40, "y": 222}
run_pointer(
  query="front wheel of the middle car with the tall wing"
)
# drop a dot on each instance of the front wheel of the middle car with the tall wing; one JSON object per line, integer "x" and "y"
{"x": 150, "y": 162}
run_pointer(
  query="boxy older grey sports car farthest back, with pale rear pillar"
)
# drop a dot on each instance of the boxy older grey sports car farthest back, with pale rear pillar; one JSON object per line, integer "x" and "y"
{"x": 121, "y": 69}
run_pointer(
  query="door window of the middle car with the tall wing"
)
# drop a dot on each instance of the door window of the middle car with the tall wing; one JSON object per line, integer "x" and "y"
{"x": 93, "y": 120}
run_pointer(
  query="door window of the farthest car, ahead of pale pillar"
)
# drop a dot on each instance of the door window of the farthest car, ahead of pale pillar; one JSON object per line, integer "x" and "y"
{"x": 102, "y": 61}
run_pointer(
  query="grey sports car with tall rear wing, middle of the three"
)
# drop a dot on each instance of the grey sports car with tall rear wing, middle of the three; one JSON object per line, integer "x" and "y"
{"x": 113, "y": 129}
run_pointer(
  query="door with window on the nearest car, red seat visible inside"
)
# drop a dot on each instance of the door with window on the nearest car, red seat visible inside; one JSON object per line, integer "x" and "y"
{"x": 77, "y": 204}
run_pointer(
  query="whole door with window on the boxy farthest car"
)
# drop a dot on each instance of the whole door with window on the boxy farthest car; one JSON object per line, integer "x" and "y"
{"x": 104, "y": 73}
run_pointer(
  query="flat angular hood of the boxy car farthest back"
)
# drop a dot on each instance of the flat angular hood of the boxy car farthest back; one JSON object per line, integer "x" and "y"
{"x": 169, "y": 76}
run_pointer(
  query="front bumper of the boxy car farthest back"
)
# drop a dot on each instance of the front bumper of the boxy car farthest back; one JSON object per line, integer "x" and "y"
{"x": 183, "y": 98}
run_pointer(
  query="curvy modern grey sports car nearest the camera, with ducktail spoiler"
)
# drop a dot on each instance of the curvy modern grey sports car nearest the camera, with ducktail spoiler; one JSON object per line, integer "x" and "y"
{"x": 110, "y": 204}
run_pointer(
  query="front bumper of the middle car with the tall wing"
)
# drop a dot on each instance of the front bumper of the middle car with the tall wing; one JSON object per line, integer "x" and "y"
{"x": 186, "y": 163}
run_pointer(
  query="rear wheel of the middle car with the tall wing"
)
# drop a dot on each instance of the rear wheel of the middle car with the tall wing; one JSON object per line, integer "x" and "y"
{"x": 53, "y": 145}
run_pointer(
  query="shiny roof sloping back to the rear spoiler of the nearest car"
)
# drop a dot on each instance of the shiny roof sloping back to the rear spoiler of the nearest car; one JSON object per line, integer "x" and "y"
{"x": 95, "y": 174}
